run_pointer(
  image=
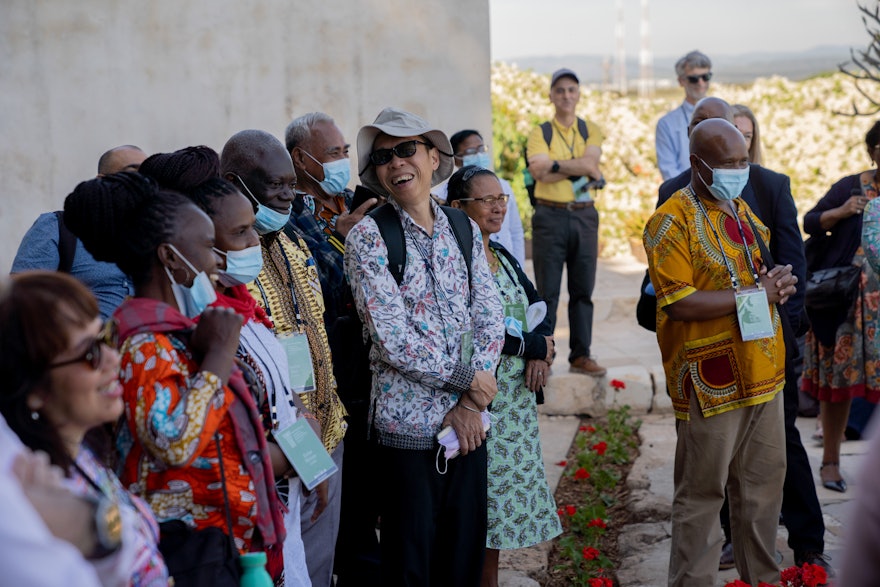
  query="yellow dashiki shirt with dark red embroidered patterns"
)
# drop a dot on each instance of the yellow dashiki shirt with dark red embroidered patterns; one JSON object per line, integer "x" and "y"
{"x": 709, "y": 357}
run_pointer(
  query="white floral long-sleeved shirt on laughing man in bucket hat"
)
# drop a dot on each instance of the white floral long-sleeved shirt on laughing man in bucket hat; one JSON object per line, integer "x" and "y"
{"x": 418, "y": 328}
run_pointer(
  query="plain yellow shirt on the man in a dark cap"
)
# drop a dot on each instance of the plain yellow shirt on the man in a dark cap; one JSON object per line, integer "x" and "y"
{"x": 565, "y": 143}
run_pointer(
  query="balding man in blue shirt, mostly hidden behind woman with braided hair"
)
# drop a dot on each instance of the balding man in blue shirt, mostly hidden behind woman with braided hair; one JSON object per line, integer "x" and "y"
{"x": 49, "y": 245}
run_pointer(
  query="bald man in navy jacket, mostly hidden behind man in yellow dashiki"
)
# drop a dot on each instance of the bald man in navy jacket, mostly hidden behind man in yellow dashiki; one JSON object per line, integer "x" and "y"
{"x": 768, "y": 194}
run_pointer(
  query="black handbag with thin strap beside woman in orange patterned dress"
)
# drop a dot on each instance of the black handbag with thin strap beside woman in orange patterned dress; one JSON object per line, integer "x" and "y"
{"x": 201, "y": 558}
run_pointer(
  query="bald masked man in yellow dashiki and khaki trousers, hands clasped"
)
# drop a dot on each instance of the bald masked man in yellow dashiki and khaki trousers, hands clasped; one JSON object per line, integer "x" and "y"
{"x": 724, "y": 356}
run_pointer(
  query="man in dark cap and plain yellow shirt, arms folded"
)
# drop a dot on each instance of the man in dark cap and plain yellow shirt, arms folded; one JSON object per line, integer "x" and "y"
{"x": 563, "y": 158}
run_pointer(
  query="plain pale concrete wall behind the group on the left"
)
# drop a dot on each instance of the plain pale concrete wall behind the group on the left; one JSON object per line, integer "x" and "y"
{"x": 81, "y": 77}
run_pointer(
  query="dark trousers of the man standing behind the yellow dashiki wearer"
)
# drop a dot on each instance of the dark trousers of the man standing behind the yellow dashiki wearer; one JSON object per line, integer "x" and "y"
{"x": 801, "y": 512}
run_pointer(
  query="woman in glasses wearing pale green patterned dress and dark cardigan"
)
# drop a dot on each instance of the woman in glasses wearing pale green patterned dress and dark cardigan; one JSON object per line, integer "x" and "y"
{"x": 522, "y": 511}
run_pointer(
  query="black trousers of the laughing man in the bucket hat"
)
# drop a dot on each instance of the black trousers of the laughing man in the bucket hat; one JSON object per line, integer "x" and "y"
{"x": 433, "y": 528}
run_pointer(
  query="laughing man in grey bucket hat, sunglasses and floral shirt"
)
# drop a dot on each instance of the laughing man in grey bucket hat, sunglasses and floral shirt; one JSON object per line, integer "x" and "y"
{"x": 437, "y": 334}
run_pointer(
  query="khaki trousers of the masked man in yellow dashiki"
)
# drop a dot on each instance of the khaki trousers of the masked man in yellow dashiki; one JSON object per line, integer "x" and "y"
{"x": 743, "y": 449}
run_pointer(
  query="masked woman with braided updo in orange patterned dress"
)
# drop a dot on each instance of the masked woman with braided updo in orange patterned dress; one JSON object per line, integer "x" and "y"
{"x": 192, "y": 440}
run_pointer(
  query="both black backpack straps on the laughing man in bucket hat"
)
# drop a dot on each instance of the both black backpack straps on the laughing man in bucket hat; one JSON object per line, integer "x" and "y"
{"x": 391, "y": 229}
